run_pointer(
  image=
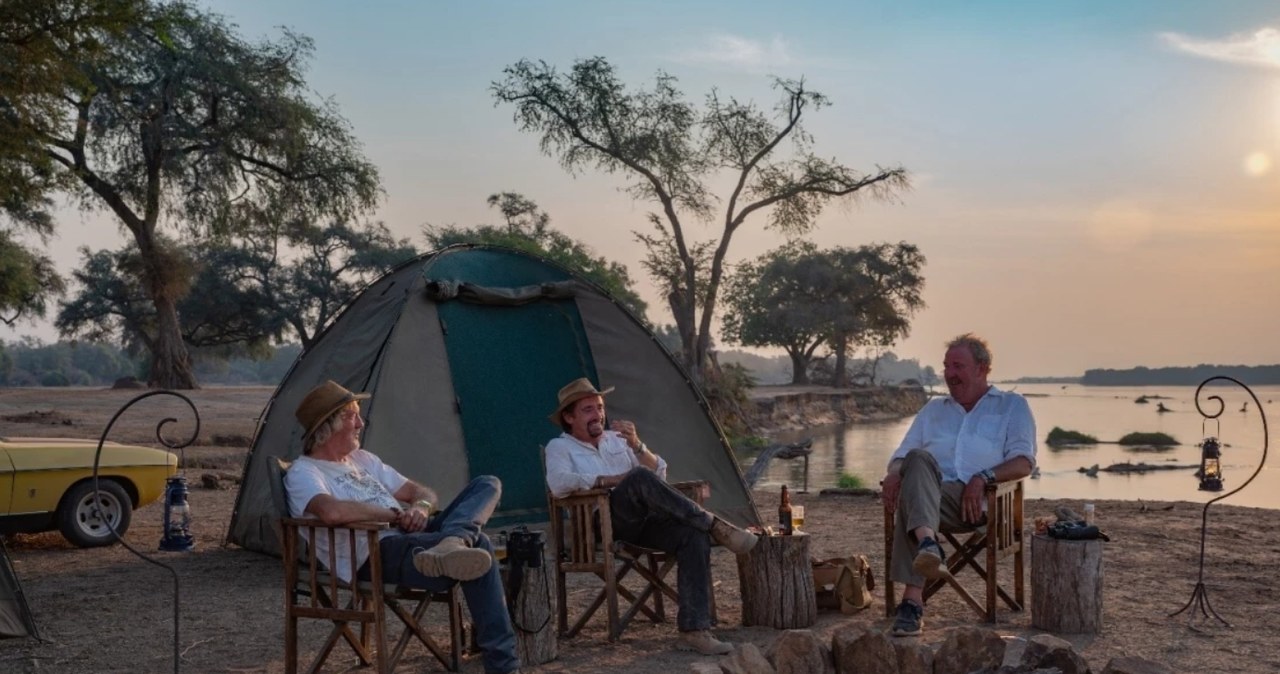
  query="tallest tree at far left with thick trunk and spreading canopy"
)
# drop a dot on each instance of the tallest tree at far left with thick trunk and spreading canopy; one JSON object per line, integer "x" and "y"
{"x": 168, "y": 117}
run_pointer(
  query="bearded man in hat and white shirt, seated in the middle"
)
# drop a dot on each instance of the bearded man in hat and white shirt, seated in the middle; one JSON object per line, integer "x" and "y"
{"x": 644, "y": 510}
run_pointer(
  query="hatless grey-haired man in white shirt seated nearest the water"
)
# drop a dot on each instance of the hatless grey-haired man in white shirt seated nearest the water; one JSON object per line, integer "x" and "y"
{"x": 954, "y": 450}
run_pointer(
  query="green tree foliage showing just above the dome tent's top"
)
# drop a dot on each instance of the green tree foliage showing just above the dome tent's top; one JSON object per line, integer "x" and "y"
{"x": 528, "y": 228}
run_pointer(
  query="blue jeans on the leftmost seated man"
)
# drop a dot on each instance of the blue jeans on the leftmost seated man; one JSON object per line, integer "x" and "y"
{"x": 464, "y": 519}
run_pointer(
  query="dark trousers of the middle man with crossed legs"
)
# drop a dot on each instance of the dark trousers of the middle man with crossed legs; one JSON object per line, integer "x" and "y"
{"x": 648, "y": 512}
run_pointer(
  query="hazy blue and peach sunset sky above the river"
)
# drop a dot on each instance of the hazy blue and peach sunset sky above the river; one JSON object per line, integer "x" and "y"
{"x": 1096, "y": 182}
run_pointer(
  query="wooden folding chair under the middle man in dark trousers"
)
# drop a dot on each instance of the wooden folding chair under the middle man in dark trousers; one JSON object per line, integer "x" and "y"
{"x": 583, "y": 547}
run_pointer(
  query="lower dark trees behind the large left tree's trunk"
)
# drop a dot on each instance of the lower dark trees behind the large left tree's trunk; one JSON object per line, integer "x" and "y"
{"x": 248, "y": 291}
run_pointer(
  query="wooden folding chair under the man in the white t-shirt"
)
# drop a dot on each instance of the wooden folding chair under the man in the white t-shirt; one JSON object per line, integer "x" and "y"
{"x": 313, "y": 593}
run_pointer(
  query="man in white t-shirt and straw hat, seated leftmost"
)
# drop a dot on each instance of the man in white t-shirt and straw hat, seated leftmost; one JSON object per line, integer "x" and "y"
{"x": 339, "y": 483}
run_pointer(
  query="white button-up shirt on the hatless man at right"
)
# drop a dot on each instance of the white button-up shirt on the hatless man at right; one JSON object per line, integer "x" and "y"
{"x": 967, "y": 443}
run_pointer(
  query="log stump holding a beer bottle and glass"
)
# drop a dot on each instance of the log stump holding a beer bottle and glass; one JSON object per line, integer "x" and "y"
{"x": 776, "y": 581}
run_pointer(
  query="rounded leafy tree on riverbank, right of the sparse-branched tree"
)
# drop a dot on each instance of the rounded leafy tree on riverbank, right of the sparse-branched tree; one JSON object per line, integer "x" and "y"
{"x": 802, "y": 299}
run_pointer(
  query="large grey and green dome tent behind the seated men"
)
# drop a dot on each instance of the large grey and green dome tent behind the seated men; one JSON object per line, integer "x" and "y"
{"x": 464, "y": 351}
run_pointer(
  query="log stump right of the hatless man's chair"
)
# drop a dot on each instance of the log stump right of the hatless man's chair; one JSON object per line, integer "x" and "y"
{"x": 1067, "y": 585}
